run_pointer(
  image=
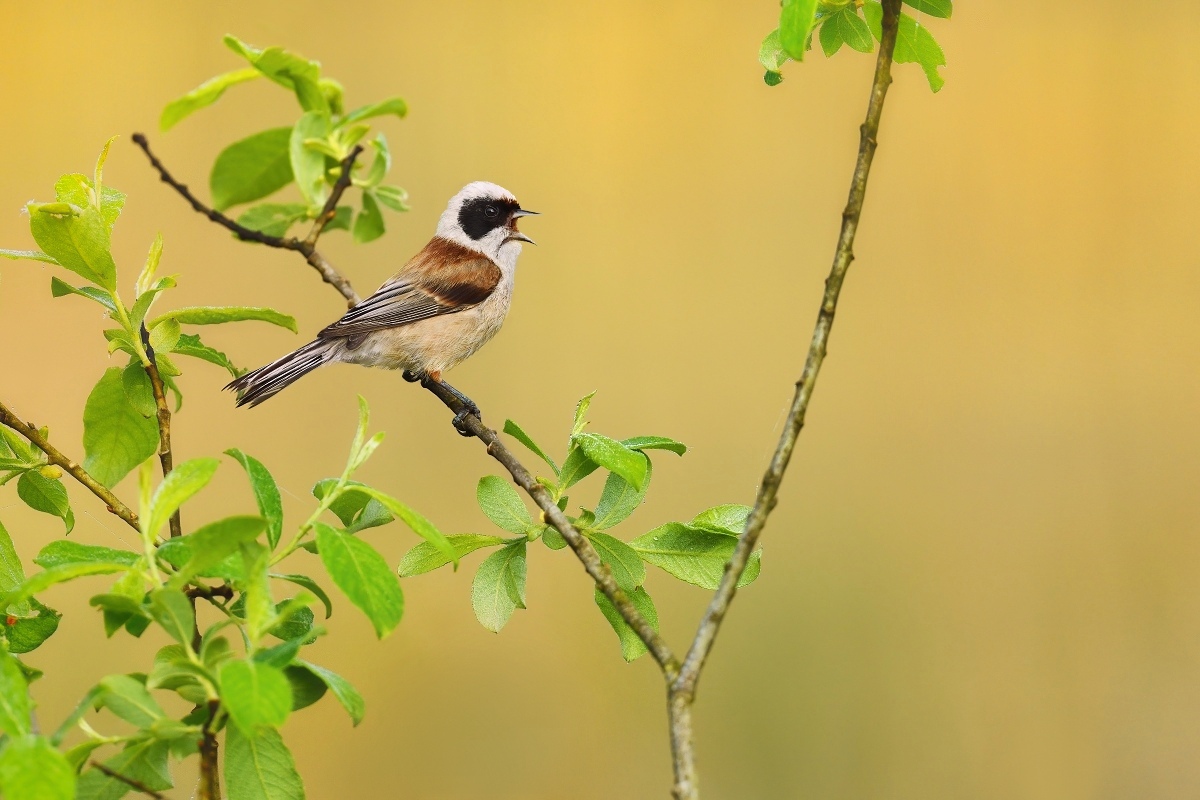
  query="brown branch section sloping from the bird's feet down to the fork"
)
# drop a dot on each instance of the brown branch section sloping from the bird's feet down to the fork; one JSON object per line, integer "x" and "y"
{"x": 555, "y": 516}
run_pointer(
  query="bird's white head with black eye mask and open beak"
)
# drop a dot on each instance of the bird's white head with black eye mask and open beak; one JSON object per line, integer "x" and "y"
{"x": 484, "y": 218}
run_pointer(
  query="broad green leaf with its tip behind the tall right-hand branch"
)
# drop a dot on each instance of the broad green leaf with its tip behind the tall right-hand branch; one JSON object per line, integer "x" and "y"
{"x": 693, "y": 555}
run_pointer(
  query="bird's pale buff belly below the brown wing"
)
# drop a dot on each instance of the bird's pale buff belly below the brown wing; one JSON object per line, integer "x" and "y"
{"x": 433, "y": 345}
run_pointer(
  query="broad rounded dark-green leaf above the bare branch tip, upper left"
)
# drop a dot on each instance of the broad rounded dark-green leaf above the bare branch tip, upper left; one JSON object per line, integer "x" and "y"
{"x": 251, "y": 169}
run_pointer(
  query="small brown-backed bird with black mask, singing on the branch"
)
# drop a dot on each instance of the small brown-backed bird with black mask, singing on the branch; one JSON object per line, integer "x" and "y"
{"x": 445, "y": 305}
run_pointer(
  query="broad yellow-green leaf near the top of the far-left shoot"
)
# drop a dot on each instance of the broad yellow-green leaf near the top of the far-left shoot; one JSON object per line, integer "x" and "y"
{"x": 80, "y": 243}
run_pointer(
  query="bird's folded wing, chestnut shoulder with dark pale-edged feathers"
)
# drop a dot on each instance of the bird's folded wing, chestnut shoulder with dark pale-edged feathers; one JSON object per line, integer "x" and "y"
{"x": 443, "y": 279}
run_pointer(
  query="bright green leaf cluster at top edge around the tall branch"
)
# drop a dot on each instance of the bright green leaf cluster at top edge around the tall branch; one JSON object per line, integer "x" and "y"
{"x": 856, "y": 25}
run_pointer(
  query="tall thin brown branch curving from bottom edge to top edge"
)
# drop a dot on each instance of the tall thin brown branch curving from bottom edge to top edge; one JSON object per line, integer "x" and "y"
{"x": 683, "y": 689}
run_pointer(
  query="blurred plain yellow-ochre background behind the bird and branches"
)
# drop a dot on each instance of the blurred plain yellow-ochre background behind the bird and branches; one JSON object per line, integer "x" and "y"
{"x": 981, "y": 581}
